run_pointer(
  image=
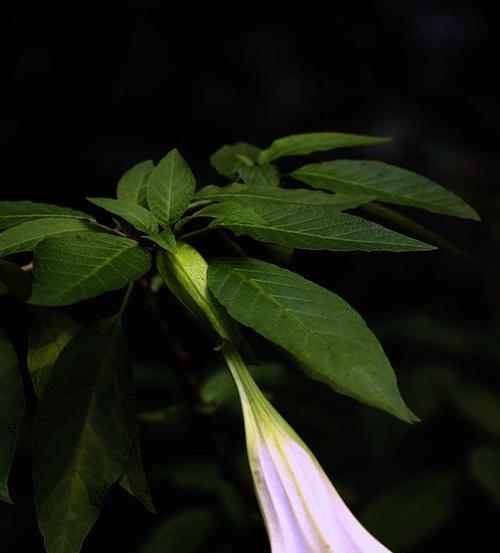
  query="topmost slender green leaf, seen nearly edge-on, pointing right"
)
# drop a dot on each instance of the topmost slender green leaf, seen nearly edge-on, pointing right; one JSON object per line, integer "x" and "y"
{"x": 303, "y": 144}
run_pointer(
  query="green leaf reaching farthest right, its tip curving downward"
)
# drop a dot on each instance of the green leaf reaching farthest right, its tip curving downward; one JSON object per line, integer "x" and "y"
{"x": 386, "y": 183}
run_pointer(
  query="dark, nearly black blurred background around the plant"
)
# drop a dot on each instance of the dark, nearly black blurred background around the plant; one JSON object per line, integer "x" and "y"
{"x": 88, "y": 92}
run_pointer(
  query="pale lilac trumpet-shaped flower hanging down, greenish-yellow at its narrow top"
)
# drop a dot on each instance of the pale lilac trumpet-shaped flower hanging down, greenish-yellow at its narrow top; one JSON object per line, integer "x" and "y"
{"x": 302, "y": 510}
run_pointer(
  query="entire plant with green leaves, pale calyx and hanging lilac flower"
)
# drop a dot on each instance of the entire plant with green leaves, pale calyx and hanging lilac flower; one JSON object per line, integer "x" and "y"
{"x": 85, "y": 429}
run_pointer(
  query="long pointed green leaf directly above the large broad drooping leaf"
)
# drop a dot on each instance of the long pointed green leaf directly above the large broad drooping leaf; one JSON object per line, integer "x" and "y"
{"x": 306, "y": 227}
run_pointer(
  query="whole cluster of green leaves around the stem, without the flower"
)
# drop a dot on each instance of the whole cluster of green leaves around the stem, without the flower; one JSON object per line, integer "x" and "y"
{"x": 85, "y": 431}
